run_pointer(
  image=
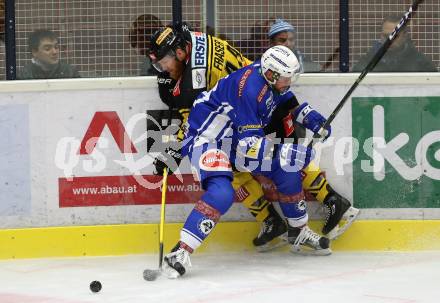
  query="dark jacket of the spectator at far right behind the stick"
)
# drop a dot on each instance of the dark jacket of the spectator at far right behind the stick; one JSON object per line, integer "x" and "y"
{"x": 405, "y": 58}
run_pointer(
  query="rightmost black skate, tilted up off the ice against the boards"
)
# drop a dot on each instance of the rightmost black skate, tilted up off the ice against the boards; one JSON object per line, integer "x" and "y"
{"x": 338, "y": 208}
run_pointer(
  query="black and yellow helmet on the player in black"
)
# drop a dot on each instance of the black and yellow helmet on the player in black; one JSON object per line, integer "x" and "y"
{"x": 164, "y": 41}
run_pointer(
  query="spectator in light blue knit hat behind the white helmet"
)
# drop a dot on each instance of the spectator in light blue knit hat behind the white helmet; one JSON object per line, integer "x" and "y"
{"x": 283, "y": 33}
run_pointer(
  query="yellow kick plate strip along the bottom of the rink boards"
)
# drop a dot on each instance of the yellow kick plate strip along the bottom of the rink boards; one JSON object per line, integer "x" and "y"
{"x": 364, "y": 235}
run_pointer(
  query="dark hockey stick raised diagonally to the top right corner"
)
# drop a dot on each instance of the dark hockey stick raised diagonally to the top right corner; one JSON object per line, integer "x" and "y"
{"x": 376, "y": 58}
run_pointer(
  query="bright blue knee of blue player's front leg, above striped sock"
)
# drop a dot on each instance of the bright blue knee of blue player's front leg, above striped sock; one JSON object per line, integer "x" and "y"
{"x": 219, "y": 193}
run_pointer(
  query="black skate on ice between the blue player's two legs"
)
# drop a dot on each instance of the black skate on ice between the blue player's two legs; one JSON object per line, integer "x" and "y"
{"x": 273, "y": 234}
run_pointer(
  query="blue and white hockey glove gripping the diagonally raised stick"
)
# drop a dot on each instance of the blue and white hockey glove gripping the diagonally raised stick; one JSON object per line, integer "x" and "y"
{"x": 312, "y": 120}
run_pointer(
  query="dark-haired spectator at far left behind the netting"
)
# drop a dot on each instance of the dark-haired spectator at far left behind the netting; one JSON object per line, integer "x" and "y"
{"x": 46, "y": 64}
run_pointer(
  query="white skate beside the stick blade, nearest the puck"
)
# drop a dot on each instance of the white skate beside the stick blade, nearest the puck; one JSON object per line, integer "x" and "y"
{"x": 176, "y": 262}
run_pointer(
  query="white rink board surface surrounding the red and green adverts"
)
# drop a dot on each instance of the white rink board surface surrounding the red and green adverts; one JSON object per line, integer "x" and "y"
{"x": 60, "y": 109}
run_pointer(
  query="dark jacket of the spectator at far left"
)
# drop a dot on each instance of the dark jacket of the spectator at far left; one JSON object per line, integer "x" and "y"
{"x": 34, "y": 71}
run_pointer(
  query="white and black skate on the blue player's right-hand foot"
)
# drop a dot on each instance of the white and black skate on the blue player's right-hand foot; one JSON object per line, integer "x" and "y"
{"x": 306, "y": 242}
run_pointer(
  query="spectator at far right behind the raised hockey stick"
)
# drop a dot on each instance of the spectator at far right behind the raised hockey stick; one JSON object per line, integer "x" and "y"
{"x": 402, "y": 56}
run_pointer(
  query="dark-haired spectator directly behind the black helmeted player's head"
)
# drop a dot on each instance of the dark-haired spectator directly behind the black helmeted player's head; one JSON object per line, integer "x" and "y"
{"x": 140, "y": 33}
